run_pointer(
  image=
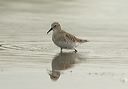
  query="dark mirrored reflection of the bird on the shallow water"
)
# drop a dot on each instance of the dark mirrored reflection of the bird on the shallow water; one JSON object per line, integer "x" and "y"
{"x": 62, "y": 61}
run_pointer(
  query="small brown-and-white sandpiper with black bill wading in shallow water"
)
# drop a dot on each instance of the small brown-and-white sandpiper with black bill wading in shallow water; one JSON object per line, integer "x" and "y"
{"x": 63, "y": 39}
